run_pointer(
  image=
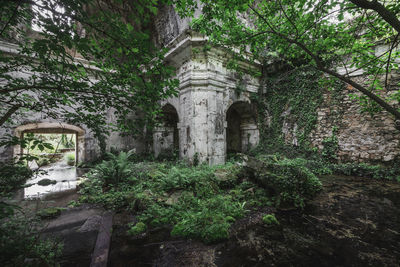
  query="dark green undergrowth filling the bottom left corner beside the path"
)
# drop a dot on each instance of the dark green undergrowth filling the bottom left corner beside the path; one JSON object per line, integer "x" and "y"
{"x": 20, "y": 237}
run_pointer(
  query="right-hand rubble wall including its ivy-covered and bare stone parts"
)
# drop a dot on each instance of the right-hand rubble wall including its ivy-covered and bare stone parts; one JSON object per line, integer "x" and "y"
{"x": 302, "y": 110}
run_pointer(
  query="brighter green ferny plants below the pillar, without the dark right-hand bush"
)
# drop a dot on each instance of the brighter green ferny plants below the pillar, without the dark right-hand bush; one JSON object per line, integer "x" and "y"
{"x": 197, "y": 202}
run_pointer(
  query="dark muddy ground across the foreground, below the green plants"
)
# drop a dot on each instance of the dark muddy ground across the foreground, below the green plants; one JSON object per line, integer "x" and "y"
{"x": 352, "y": 222}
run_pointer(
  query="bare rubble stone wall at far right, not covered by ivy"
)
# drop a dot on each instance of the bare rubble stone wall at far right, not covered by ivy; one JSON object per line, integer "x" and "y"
{"x": 361, "y": 137}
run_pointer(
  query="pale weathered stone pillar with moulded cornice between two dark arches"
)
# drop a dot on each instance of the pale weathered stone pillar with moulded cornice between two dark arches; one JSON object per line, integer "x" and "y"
{"x": 206, "y": 93}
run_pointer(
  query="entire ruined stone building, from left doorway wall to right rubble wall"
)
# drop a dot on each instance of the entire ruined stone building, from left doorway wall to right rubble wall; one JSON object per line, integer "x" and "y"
{"x": 210, "y": 118}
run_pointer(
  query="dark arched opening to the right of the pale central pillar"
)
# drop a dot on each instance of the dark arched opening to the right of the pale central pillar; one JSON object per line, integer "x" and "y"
{"x": 242, "y": 131}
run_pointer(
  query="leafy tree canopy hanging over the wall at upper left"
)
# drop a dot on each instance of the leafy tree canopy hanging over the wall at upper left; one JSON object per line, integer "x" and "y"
{"x": 75, "y": 59}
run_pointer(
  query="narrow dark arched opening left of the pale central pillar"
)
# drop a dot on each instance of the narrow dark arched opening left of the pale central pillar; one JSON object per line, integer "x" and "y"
{"x": 166, "y": 135}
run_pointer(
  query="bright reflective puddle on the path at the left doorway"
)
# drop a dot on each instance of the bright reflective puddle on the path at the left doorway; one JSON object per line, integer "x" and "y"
{"x": 66, "y": 177}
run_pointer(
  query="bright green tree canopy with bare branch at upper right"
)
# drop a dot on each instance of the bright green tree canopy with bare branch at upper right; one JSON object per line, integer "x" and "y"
{"x": 337, "y": 37}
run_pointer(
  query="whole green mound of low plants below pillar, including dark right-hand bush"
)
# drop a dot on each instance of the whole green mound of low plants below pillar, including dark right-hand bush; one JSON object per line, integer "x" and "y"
{"x": 199, "y": 202}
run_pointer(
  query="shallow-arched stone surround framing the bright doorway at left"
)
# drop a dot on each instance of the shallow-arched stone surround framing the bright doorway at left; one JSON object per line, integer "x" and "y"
{"x": 54, "y": 128}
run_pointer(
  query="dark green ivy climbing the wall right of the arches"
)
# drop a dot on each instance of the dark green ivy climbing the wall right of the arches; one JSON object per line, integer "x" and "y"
{"x": 295, "y": 96}
